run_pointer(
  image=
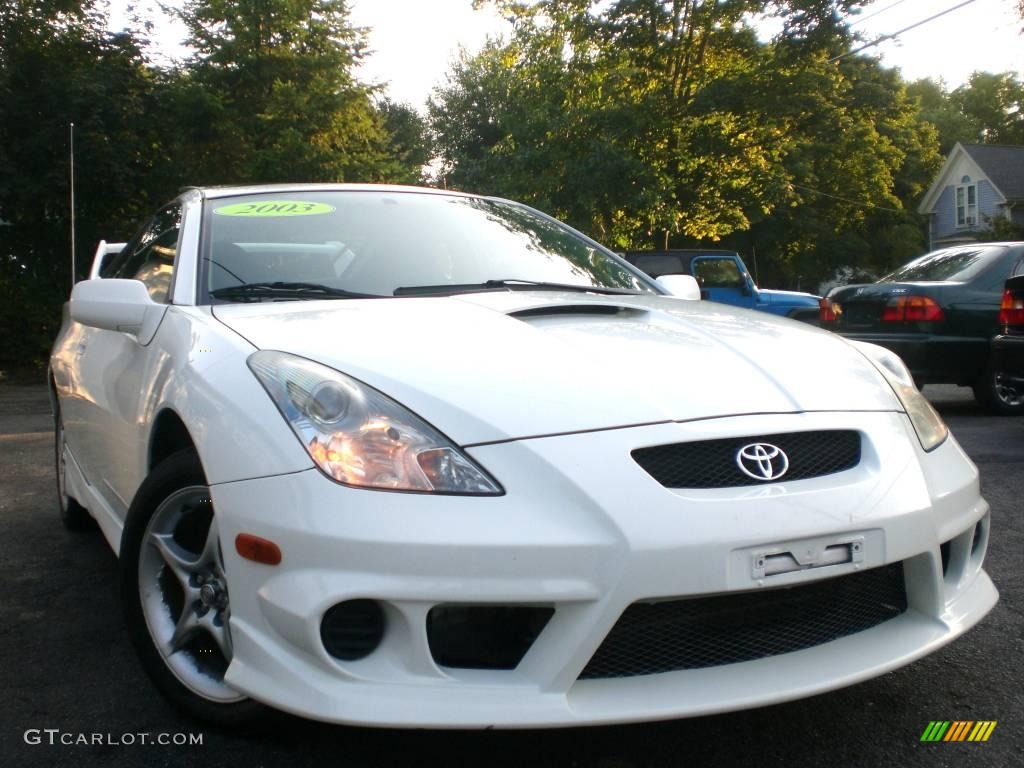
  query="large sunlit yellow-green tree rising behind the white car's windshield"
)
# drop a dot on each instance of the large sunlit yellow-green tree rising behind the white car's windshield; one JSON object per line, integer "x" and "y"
{"x": 625, "y": 118}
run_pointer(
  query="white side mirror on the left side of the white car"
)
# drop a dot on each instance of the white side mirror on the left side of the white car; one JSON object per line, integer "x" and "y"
{"x": 117, "y": 306}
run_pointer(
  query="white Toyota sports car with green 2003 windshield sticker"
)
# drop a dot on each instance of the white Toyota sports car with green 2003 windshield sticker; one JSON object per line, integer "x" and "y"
{"x": 403, "y": 457}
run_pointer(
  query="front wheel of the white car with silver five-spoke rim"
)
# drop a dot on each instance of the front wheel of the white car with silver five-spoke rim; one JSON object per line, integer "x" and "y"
{"x": 175, "y": 592}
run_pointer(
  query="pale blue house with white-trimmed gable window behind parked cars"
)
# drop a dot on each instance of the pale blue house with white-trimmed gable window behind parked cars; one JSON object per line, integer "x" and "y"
{"x": 977, "y": 184}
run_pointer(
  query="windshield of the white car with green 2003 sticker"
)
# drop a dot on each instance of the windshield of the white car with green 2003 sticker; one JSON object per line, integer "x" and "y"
{"x": 356, "y": 243}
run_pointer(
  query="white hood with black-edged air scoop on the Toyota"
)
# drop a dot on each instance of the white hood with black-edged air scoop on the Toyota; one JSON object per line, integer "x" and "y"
{"x": 491, "y": 367}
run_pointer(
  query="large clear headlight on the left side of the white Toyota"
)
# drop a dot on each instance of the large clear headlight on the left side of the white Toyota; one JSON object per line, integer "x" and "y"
{"x": 359, "y": 437}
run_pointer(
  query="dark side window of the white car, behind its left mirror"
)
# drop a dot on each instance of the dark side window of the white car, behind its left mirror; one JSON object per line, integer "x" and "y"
{"x": 150, "y": 257}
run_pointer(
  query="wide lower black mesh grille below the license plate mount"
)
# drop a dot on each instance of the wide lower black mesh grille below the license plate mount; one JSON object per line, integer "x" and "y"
{"x": 694, "y": 633}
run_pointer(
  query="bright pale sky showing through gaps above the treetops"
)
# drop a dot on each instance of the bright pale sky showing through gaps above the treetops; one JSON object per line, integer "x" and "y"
{"x": 413, "y": 42}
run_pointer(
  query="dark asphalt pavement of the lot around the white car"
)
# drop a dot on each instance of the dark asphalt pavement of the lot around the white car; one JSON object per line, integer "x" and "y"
{"x": 67, "y": 666}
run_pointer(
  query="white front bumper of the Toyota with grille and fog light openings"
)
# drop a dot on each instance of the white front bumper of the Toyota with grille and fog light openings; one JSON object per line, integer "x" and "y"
{"x": 590, "y": 540}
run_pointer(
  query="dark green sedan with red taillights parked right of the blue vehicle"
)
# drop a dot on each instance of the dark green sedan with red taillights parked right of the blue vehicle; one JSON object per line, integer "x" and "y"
{"x": 940, "y": 313}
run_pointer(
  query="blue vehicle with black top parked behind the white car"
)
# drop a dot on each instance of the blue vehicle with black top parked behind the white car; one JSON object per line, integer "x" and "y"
{"x": 723, "y": 277}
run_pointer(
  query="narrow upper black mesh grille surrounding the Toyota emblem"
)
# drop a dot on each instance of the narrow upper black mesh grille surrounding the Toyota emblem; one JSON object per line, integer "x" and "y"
{"x": 712, "y": 464}
